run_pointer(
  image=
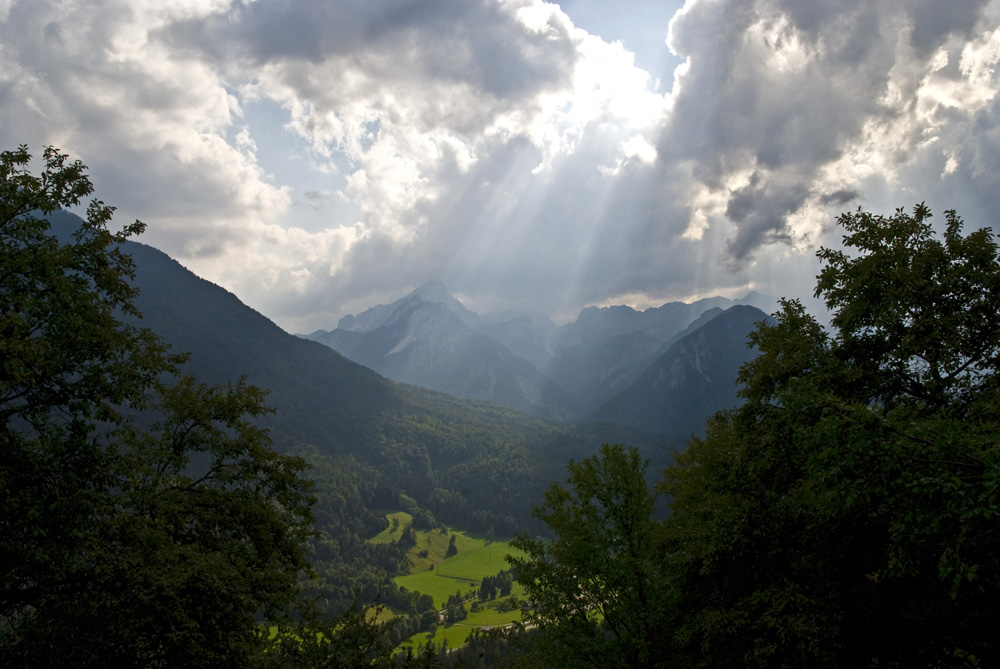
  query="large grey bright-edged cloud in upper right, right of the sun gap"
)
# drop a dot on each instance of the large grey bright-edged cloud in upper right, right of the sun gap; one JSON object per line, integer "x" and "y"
{"x": 786, "y": 106}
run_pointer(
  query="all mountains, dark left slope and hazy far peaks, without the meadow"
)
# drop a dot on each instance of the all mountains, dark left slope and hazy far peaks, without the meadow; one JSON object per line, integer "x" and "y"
{"x": 472, "y": 463}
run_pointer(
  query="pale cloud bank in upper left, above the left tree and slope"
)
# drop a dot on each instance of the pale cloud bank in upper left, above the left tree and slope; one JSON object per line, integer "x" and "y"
{"x": 158, "y": 130}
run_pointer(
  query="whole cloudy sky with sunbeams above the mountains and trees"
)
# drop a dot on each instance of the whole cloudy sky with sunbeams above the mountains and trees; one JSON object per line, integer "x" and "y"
{"x": 318, "y": 158}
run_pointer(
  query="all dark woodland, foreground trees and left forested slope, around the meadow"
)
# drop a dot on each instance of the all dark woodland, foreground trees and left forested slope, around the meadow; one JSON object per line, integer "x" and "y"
{"x": 843, "y": 515}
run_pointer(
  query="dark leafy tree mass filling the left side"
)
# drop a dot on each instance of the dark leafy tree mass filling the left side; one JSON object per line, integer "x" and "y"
{"x": 141, "y": 521}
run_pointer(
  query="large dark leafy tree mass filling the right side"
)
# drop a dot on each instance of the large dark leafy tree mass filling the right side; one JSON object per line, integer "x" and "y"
{"x": 846, "y": 514}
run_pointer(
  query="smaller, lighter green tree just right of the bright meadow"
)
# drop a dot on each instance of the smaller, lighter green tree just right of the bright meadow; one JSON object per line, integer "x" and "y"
{"x": 595, "y": 588}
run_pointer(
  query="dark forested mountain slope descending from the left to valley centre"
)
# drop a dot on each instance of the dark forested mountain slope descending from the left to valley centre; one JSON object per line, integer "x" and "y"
{"x": 474, "y": 464}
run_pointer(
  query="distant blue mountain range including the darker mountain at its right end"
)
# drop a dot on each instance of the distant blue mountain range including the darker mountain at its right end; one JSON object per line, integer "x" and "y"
{"x": 607, "y": 365}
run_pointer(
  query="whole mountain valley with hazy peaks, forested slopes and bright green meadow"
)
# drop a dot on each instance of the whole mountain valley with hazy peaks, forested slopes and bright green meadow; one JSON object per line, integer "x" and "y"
{"x": 371, "y": 443}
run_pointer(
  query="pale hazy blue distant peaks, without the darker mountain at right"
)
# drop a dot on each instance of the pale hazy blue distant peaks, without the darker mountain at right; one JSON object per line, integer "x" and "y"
{"x": 561, "y": 373}
